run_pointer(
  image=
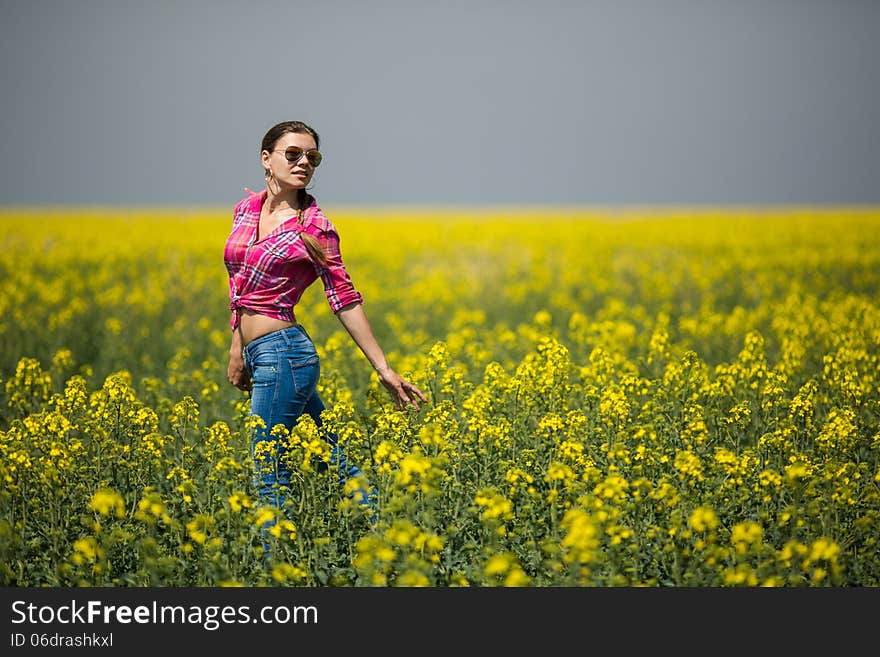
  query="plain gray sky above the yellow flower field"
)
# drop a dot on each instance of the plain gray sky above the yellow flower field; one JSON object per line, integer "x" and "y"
{"x": 417, "y": 102}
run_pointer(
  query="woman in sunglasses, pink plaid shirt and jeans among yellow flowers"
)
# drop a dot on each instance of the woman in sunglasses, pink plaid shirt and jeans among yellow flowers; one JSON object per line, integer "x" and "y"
{"x": 281, "y": 242}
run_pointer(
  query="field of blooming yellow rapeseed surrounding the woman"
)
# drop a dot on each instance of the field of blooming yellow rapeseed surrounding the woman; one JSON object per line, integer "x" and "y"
{"x": 640, "y": 398}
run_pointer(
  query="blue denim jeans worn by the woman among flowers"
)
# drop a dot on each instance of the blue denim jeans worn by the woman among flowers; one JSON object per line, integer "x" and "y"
{"x": 284, "y": 369}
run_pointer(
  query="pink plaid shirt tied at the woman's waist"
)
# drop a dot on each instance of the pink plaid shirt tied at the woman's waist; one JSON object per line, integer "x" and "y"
{"x": 269, "y": 275}
